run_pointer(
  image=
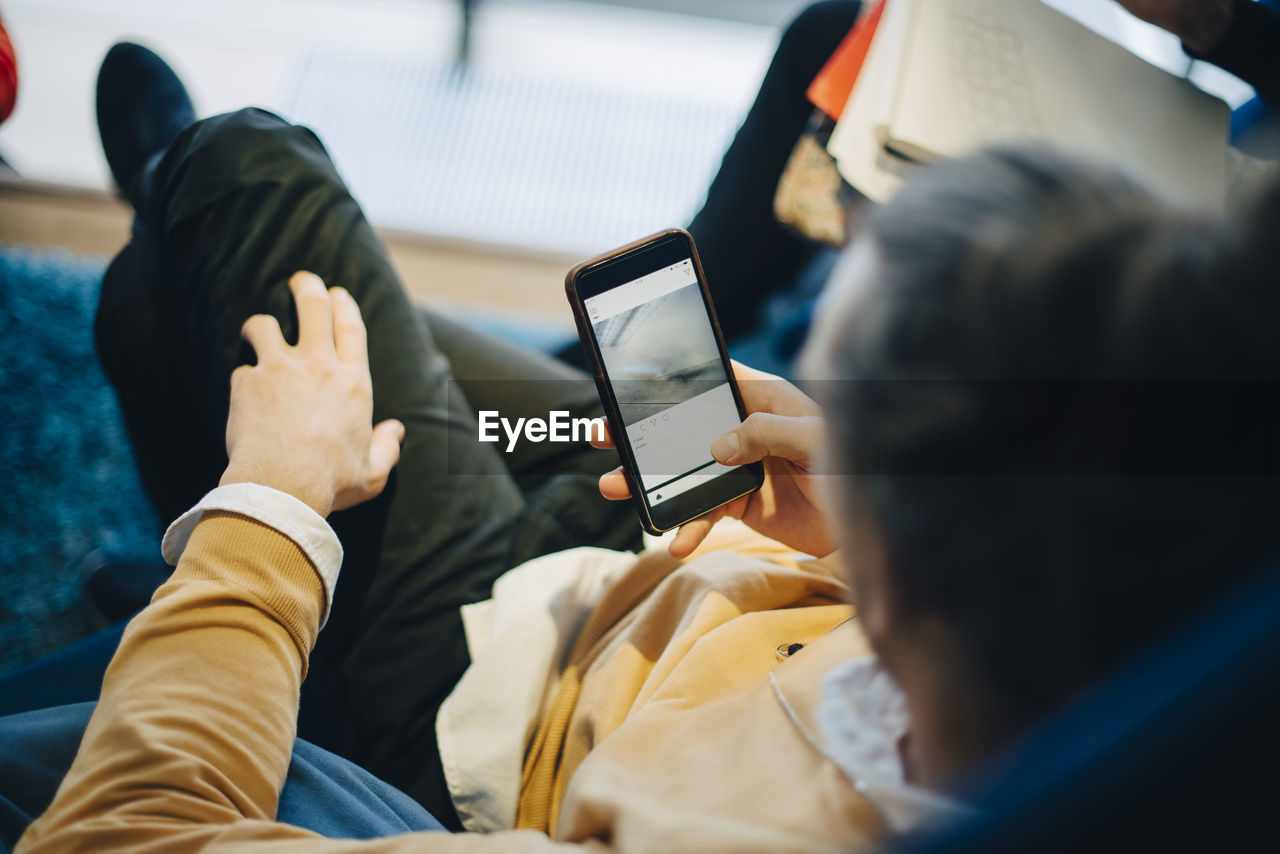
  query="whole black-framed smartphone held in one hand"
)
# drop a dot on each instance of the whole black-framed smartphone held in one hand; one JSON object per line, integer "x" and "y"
{"x": 656, "y": 350}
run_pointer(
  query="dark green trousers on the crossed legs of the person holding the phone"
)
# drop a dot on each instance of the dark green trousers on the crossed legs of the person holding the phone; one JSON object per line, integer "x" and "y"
{"x": 225, "y": 217}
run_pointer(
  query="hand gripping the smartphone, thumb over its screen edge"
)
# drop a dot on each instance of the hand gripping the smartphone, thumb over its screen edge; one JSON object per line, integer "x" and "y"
{"x": 784, "y": 428}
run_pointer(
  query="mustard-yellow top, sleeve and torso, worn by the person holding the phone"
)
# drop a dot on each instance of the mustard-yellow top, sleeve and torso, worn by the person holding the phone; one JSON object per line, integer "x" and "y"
{"x": 676, "y": 728}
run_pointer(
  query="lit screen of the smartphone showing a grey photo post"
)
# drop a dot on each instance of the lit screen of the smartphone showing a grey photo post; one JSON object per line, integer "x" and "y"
{"x": 666, "y": 372}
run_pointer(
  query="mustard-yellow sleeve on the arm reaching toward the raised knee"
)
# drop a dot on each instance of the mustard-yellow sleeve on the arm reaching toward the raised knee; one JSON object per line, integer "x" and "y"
{"x": 191, "y": 741}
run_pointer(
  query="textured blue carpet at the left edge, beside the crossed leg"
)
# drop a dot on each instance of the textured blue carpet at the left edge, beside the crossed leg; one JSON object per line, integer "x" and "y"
{"x": 70, "y": 481}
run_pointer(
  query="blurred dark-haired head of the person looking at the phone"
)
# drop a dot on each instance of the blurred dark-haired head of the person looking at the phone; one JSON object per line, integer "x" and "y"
{"x": 1053, "y": 413}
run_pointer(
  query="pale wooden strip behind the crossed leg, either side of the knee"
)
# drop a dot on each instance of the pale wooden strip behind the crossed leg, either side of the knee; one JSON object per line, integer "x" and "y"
{"x": 447, "y": 276}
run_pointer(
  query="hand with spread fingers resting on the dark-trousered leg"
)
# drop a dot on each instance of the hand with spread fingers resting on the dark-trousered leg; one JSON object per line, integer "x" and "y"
{"x": 301, "y": 421}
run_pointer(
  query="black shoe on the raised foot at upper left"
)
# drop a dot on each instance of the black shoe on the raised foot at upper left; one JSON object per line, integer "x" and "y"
{"x": 141, "y": 108}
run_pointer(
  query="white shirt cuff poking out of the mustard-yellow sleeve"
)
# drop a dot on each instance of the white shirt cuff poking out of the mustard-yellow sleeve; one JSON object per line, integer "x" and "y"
{"x": 275, "y": 509}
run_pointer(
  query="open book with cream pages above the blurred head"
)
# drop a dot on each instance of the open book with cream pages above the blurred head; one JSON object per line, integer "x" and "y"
{"x": 947, "y": 77}
